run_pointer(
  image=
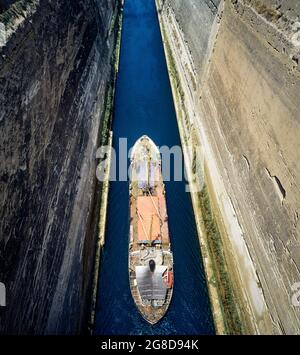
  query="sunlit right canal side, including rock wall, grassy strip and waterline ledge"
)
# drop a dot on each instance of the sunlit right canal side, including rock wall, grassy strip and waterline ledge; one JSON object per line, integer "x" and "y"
{"x": 235, "y": 76}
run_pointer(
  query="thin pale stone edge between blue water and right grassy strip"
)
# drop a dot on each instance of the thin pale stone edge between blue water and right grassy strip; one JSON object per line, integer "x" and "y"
{"x": 207, "y": 262}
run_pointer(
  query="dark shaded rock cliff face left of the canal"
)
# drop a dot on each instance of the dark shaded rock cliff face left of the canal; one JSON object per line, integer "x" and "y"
{"x": 55, "y": 68}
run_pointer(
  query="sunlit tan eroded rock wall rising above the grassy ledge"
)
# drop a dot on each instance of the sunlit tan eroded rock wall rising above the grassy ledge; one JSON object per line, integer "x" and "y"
{"x": 242, "y": 94}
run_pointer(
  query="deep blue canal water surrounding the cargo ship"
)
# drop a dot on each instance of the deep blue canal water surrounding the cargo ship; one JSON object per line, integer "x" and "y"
{"x": 144, "y": 105}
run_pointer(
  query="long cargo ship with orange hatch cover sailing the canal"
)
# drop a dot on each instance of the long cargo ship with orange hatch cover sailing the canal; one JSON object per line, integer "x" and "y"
{"x": 150, "y": 256}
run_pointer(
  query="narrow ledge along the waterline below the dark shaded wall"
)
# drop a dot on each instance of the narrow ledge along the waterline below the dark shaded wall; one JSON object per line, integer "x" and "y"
{"x": 102, "y": 209}
